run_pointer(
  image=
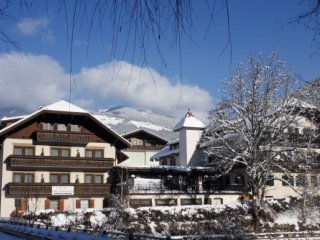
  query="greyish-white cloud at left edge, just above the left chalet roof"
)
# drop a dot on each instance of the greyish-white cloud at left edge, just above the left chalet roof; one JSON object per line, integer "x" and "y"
{"x": 29, "y": 81}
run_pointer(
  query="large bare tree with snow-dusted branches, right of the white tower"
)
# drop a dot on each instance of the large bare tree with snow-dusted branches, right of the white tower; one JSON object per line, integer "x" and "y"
{"x": 249, "y": 127}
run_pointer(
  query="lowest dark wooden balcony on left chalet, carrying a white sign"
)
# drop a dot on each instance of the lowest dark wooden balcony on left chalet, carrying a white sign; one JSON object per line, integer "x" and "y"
{"x": 34, "y": 190}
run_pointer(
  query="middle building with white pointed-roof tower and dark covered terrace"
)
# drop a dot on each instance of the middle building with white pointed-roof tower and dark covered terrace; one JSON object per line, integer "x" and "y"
{"x": 180, "y": 179}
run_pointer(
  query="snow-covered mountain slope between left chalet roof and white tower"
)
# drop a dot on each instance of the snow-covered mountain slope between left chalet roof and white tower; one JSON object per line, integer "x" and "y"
{"x": 126, "y": 119}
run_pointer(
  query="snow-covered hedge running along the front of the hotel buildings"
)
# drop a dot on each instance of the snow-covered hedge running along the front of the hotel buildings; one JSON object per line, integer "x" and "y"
{"x": 277, "y": 215}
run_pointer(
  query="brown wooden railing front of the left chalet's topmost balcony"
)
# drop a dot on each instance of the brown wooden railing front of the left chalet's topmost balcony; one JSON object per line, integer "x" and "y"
{"x": 71, "y": 138}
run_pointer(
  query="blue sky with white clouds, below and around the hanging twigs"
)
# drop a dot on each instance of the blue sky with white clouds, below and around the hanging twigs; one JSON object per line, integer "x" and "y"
{"x": 38, "y": 74}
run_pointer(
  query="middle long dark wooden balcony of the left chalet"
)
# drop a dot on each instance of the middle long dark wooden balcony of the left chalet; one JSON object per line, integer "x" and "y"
{"x": 21, "y": 162}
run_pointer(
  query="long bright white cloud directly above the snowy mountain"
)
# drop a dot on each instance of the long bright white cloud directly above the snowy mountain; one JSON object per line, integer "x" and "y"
{"x": 143, "y": 87}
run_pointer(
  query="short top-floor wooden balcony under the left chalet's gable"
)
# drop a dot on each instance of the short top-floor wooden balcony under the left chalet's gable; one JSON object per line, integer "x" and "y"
{"x": 65, "y": 138}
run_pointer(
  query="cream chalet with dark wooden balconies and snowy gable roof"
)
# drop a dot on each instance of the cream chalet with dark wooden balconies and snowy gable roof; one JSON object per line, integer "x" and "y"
{"x": 58, "y": 157}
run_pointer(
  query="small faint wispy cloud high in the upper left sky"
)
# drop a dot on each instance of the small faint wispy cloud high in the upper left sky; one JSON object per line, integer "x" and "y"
{"x": 31, "y": 26}
